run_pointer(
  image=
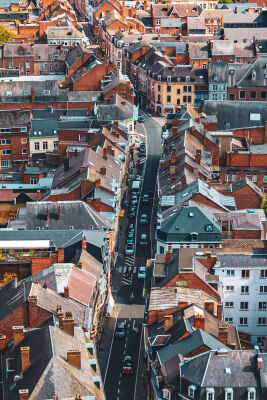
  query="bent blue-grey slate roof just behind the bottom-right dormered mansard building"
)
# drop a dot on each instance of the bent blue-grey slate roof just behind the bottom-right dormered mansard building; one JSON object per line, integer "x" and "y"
{"x": 191, "y": 343}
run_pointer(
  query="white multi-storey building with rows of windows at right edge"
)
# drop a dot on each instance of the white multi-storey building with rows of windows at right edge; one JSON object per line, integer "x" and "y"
{"x": 244, "y": 279}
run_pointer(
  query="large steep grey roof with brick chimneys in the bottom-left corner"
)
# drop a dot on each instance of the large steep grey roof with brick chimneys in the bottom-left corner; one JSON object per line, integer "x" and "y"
{"x": 50, "y": 372}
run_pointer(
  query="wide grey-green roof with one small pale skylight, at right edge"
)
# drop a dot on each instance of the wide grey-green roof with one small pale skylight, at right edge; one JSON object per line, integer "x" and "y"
{"x": 236, "y": 113}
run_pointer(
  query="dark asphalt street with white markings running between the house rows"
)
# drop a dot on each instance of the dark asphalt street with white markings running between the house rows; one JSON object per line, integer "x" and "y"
{"x": 117, "y": 385}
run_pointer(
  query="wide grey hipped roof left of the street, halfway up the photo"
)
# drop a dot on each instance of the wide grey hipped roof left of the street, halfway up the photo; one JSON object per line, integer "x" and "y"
{"x": 75, "y": 214}
